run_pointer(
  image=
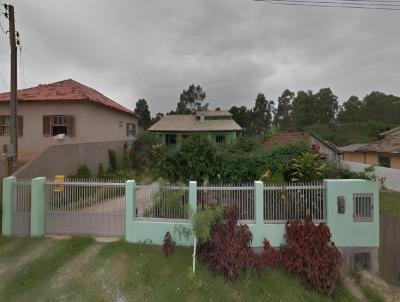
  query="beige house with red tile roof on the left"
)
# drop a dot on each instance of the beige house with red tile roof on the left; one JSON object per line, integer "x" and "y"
{"x": 65, "y": 112}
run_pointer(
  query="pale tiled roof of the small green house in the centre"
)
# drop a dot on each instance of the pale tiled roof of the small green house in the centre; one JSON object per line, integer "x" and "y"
{"x": 192, "y": 123}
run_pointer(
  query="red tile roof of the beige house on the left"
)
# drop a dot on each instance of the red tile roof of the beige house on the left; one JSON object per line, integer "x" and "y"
{"x": 67, "y": 90}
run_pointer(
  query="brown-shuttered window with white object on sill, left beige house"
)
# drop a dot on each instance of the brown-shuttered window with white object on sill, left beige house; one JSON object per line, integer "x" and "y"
{"x": 58, "y": 124}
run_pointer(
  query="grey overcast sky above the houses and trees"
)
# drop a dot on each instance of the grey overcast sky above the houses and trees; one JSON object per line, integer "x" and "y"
{"x": 232, "y": 48}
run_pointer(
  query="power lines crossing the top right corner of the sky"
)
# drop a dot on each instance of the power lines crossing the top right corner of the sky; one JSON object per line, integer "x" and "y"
{"x": 331, "y": 4}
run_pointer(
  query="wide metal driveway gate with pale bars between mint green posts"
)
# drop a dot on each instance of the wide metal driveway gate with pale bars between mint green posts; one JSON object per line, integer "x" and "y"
{"x": 85, "y": 208}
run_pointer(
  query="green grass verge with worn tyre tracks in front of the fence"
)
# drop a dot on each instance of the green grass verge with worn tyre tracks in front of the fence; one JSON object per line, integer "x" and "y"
{"x": 81, "y": 269}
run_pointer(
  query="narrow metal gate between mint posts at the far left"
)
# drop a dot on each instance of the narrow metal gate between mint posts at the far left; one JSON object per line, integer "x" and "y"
{"x": 21, "y": 207}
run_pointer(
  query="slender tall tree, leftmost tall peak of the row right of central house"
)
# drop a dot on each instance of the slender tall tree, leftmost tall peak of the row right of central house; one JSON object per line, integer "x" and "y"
{"x": 262, "y": 114}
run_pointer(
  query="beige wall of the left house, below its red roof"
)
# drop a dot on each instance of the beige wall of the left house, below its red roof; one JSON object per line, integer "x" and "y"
{"x": 93, "y": 123}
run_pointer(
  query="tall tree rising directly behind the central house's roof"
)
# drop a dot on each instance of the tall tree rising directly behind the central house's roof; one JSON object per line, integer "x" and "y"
{"x": 191, "y": 100}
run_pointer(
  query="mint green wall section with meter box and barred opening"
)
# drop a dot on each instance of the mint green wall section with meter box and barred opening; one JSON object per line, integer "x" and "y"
{"x": 346, "y": 232}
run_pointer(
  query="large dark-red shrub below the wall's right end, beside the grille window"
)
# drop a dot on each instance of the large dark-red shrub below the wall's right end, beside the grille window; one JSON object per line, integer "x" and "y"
{"x": 311, "y": 256}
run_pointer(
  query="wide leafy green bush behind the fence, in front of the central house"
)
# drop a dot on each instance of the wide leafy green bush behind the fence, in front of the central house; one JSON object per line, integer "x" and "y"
{"x": 240, "y": 161}
